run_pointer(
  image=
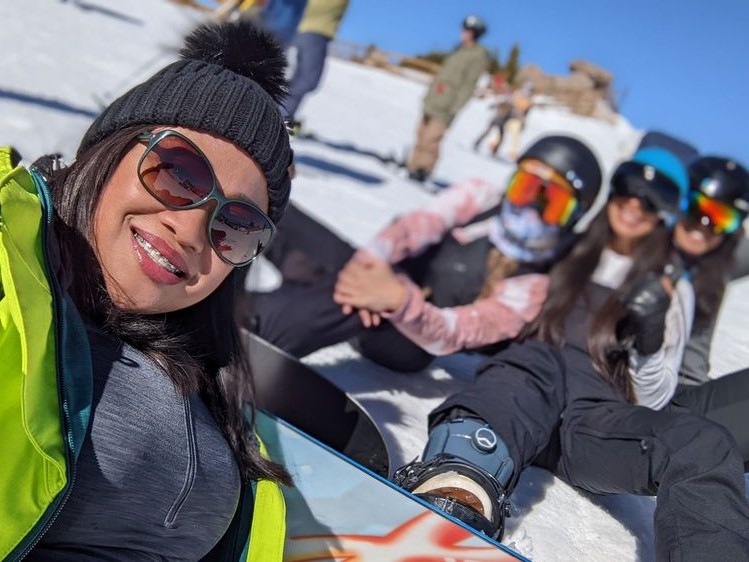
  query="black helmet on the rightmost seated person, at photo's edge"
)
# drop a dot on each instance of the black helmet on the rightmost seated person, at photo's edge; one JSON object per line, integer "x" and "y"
{"x": 722, "y": 179}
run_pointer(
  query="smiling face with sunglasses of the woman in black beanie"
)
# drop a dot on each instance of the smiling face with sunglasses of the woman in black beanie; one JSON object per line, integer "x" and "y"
{"x": 175, "y": 226}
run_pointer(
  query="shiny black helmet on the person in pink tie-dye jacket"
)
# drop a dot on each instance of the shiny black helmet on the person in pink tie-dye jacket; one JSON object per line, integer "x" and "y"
{"x": 572, "y": 160}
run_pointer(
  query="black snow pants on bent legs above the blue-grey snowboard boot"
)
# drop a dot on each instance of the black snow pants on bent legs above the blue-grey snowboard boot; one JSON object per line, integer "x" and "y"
{"x": 608, "y": 446}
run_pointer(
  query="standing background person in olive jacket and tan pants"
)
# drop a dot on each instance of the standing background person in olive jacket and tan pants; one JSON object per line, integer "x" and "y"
{"x": 449, "y": 92}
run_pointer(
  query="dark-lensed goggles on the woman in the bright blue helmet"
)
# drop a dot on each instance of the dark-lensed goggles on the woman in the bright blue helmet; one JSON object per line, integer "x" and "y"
{"x": 657, "y": 192}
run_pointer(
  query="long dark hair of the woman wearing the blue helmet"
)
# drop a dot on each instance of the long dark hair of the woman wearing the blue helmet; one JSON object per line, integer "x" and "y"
{"x": 567, "y": 282}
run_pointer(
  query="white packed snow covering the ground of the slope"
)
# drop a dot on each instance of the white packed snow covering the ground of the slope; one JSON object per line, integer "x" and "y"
{"x": 62, "y": 60}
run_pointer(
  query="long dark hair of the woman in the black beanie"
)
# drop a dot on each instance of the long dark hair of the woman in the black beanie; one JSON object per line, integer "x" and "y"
{"x": 198, "y": 347}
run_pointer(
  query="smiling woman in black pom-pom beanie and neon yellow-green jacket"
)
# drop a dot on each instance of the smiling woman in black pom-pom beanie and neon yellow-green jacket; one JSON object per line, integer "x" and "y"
{"x": 174, "y": 192}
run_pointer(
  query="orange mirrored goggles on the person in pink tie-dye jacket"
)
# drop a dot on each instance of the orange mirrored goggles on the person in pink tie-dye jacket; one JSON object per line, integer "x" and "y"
{"x": 556, "y": 200}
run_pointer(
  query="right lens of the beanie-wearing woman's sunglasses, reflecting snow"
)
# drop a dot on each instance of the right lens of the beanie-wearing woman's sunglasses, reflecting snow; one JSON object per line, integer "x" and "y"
{"x": 240, "y": 232}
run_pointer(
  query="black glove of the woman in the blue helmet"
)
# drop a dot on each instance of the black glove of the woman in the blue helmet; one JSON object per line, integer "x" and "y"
{"x": 647, "y": 304}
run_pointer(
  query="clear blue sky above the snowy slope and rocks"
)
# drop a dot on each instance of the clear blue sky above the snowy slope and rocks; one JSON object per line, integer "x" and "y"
{"x": 680, "y": 66}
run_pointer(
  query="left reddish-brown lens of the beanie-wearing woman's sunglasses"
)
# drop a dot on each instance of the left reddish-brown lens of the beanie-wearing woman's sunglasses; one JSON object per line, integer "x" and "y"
{"x": 175, "y": 173}
